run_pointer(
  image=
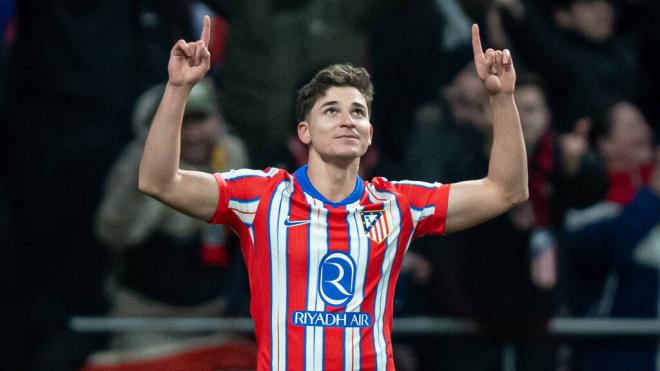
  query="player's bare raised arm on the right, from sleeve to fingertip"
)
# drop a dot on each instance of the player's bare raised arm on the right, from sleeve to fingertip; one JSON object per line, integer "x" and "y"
{"x": 476, "y": 201}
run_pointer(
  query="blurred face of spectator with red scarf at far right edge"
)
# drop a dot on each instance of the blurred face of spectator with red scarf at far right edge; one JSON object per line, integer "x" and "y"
{"x": 630, "y": 142}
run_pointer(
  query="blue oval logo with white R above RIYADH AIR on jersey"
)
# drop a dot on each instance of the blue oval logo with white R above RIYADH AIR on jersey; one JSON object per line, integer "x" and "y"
{"x": 337, "y": 278}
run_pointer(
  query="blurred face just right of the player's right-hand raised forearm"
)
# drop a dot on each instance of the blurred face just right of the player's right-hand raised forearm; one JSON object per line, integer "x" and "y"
{"x": 534, "y": 114}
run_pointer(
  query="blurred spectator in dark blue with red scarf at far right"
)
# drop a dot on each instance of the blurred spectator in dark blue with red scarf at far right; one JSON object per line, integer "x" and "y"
{"x": 614, "y": 246}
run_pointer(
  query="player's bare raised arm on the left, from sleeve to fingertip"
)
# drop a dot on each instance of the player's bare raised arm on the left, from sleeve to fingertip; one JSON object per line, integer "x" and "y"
{"x": 191, "y": 192}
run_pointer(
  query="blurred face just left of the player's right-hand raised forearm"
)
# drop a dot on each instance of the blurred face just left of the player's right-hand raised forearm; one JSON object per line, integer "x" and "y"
{"x": 468, "y": 99}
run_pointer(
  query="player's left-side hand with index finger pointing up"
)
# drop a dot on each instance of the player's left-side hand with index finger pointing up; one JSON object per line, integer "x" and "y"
{"x": 189, "y": 62}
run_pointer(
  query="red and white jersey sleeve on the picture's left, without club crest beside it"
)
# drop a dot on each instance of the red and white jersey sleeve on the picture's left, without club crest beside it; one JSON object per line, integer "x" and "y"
{"x": 240, "y": 192}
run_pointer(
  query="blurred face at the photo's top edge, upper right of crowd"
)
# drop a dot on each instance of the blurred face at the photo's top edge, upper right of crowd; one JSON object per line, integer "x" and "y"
{"x": 594, "y": 19}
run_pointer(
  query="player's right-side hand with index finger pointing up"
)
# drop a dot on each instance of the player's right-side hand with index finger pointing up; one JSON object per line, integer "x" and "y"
{"x": 494, "y": 68}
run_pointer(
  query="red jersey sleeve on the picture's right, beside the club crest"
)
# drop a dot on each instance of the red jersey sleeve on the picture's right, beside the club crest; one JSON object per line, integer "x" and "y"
{"x": 428, "y": 205}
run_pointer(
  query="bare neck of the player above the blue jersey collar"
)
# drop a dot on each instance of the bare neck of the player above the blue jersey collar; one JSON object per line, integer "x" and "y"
{"x": 333, "y": 181}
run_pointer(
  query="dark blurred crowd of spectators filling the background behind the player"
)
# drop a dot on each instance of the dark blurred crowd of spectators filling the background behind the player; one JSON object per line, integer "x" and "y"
{"x": 81, "y": 80}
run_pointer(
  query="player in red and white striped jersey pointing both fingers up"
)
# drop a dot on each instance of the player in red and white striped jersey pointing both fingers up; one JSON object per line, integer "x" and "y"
{"x": 323, "y": 248}
